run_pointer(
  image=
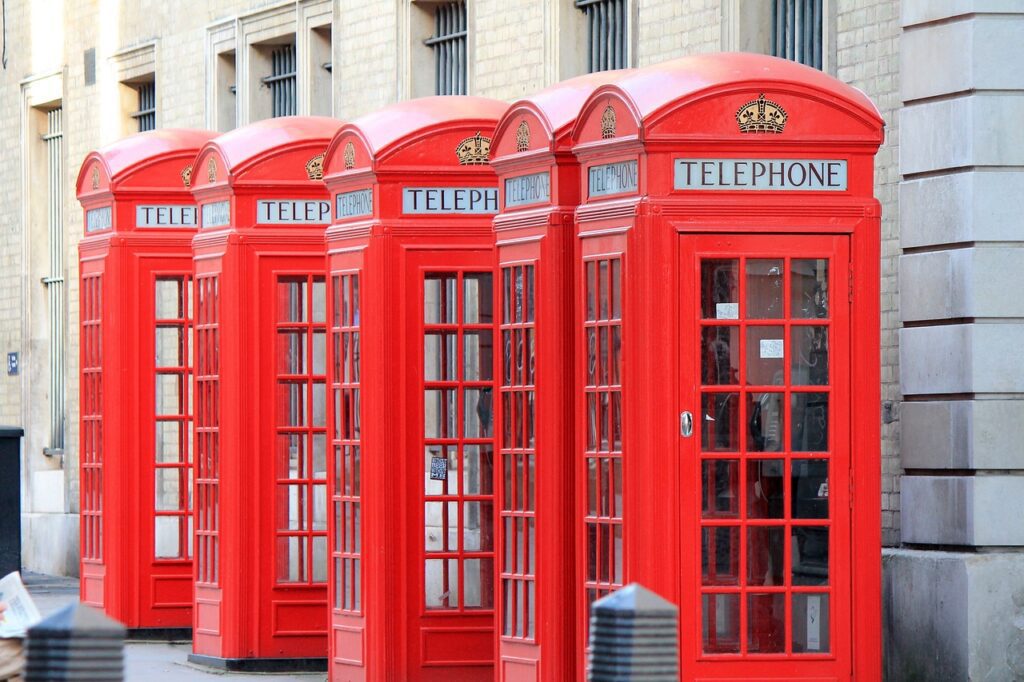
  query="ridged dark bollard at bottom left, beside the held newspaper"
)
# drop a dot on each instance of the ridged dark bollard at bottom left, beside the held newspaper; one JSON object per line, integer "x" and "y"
{"x": 76, "y": 644}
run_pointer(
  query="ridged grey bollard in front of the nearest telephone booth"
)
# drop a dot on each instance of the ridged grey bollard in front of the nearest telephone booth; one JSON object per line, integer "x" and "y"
{"x": 634, "y": 637}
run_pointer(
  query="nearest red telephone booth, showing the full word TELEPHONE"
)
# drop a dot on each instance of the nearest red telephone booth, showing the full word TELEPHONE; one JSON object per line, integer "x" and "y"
{"x": 728, "y": 383}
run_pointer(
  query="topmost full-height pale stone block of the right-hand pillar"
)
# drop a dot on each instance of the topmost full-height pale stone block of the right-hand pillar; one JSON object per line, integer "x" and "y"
{"x": 929, "y": 68}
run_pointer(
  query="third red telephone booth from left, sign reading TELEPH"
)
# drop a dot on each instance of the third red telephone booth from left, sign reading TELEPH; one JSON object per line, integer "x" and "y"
{"x": 412, "y": 371}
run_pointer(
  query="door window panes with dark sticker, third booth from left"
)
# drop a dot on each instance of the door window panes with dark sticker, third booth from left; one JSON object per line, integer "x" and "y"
{"x": 458, "y": 444}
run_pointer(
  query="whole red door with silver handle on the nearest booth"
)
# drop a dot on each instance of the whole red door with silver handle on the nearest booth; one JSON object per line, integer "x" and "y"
{"x": 765, "y": 452}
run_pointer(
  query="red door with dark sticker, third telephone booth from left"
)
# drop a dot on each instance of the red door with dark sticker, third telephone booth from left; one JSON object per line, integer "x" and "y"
{"x": 453, "y": 588}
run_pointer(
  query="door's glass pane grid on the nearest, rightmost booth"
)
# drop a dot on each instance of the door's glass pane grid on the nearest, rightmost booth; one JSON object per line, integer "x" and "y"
{"x": 765, "y": 456}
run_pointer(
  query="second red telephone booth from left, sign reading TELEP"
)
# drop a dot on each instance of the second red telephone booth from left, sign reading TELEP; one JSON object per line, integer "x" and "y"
{"x": 262, "y": 550}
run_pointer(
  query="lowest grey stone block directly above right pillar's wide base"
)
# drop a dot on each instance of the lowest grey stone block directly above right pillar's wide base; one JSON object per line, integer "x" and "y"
{"x": 974, "y": 511}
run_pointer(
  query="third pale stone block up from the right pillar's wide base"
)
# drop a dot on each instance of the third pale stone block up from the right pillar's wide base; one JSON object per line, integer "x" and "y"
{"x": 961, "y": 359}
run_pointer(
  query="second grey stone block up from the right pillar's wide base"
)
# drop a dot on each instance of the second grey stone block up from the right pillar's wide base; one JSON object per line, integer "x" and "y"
{"x": 962, "y": 435}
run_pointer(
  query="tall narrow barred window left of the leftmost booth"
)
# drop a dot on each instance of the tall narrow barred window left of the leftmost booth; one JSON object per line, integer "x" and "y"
{"x": 55, "y": 281}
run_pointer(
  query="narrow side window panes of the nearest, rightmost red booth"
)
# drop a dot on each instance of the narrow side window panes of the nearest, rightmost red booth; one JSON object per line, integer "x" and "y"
{"x": 606, "y": 562}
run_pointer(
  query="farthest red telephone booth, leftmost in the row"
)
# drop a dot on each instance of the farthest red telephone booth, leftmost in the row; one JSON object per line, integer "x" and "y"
{"x": 136, "y": 452}
